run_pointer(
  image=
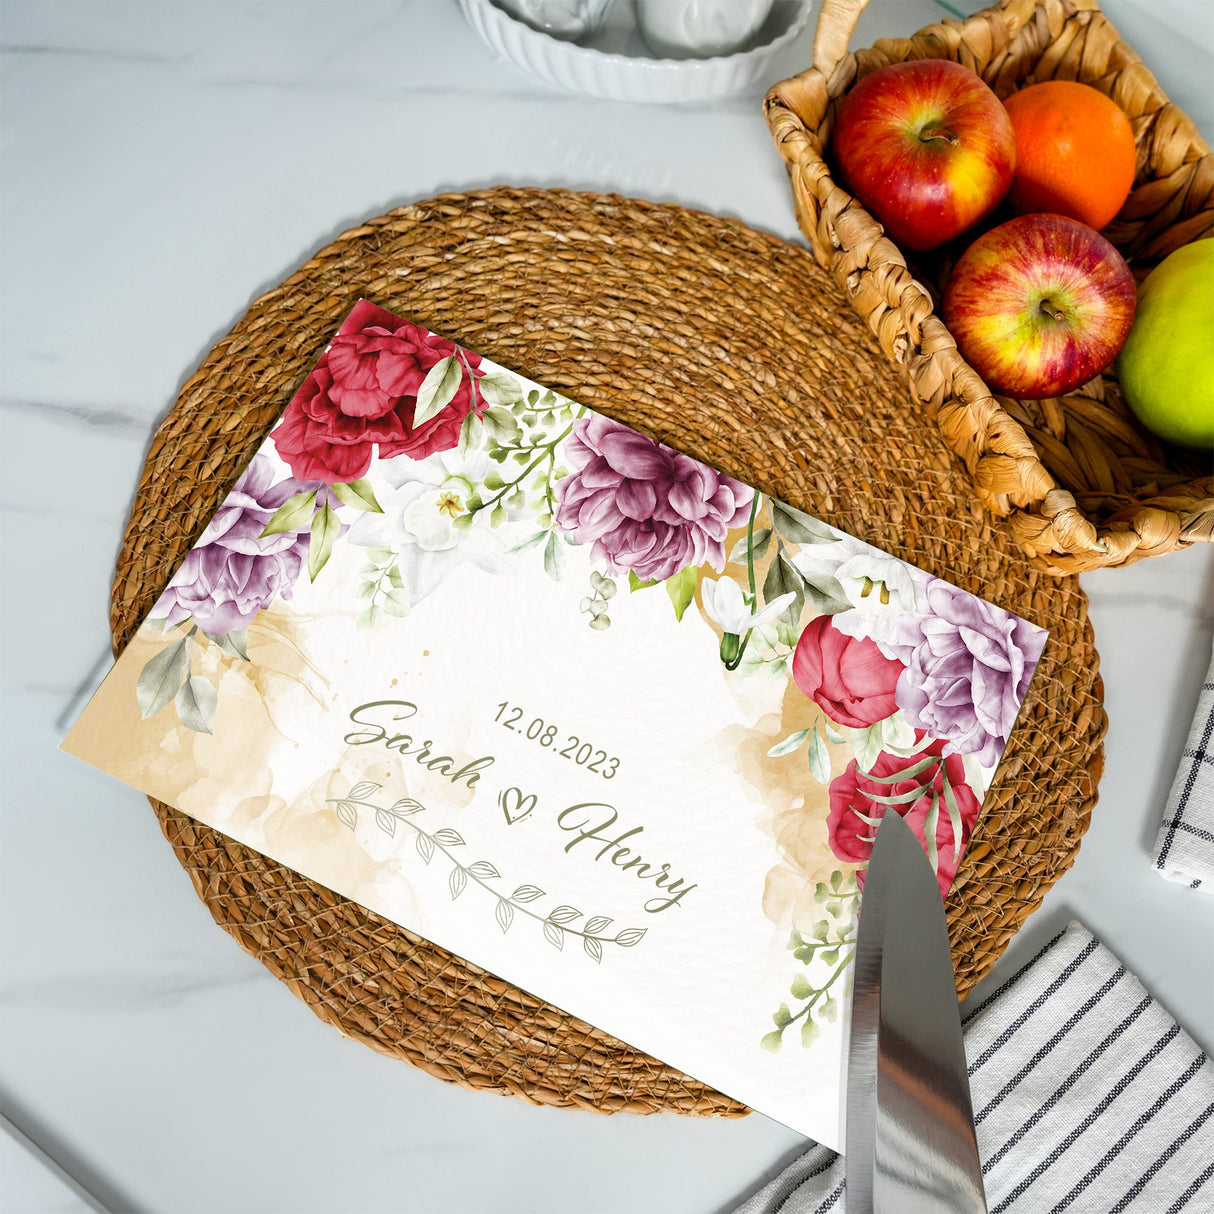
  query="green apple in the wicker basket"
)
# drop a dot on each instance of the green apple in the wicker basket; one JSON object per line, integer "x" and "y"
{"x": 1167, "y": 365}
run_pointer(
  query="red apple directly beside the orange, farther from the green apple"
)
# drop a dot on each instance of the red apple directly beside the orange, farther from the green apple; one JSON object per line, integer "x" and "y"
{"x": 927, "y": 148}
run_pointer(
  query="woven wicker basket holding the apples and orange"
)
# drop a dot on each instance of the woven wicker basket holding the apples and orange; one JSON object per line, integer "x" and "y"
{"x": 1082, "y": 484}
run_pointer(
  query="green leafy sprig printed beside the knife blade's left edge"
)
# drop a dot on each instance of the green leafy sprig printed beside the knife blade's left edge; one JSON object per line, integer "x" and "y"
{"x": 827, "y": 956}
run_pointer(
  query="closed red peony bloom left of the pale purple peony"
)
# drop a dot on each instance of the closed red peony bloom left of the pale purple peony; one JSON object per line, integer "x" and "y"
{"x": 849, "y": 679}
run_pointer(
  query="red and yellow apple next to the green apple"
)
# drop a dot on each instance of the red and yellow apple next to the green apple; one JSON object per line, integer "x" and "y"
{"x": 1040, "y": 305}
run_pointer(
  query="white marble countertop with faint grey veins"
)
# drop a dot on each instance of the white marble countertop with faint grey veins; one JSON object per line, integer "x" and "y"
{"x": 163, "y": 166}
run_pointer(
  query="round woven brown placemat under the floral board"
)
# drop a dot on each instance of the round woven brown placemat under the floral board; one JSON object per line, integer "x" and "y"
{"x": 725, "y": 343}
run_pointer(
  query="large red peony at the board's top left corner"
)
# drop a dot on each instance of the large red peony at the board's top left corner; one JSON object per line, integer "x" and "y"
{"x": 362, "y": 393}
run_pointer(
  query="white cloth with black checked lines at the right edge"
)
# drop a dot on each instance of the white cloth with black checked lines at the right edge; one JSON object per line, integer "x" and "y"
{"x": 1185, "y": 848}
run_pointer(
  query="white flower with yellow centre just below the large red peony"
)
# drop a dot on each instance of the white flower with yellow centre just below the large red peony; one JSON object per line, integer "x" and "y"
{"x": 419, "y": 517}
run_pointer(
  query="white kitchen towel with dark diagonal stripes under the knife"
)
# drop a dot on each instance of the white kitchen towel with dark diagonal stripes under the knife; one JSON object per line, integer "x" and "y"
{"x": 1088, "y": 1097}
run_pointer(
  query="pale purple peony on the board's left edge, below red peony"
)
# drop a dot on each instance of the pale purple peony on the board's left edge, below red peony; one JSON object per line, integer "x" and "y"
{"x": 231, "y": 575}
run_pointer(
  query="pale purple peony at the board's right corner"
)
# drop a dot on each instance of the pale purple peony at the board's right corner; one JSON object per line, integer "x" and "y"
{"x": 968, "y": 670}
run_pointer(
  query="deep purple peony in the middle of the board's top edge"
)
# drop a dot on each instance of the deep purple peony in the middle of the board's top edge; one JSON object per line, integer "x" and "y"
{"x": 645, "y": 507}
